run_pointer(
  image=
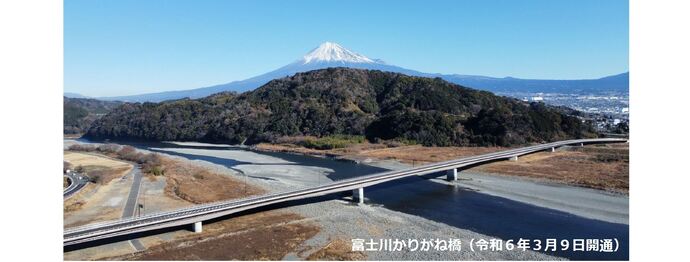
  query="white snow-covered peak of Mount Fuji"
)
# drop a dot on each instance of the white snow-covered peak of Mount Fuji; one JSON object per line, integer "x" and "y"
{"x": 332, "y": 52}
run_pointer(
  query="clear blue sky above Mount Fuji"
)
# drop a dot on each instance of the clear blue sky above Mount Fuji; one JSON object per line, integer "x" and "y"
{"x": 131, "y": 47}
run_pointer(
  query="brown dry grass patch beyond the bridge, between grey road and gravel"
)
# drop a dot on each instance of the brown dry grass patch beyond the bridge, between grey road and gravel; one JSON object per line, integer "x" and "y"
{"x": 198, "y": 185}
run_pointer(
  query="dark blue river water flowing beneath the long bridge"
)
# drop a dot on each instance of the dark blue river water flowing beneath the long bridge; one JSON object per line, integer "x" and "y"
{"x": 452, "y": 204}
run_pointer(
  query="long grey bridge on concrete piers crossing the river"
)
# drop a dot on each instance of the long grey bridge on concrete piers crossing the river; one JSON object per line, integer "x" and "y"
{"x": 197, "y": 214}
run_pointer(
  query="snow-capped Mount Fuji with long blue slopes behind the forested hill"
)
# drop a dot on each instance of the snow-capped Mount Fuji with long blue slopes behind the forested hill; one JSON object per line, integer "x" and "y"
{"x": 330, "y": 54}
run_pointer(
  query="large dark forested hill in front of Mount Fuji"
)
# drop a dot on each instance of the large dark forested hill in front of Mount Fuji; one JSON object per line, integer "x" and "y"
{"x": 379, "y": 105}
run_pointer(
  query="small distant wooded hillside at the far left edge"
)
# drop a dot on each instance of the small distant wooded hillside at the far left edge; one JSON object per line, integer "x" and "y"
{"x": 79, "y": 113}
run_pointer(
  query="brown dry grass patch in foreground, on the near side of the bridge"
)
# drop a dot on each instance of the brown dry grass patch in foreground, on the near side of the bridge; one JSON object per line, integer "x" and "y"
{"x": 261, "y": 236}
